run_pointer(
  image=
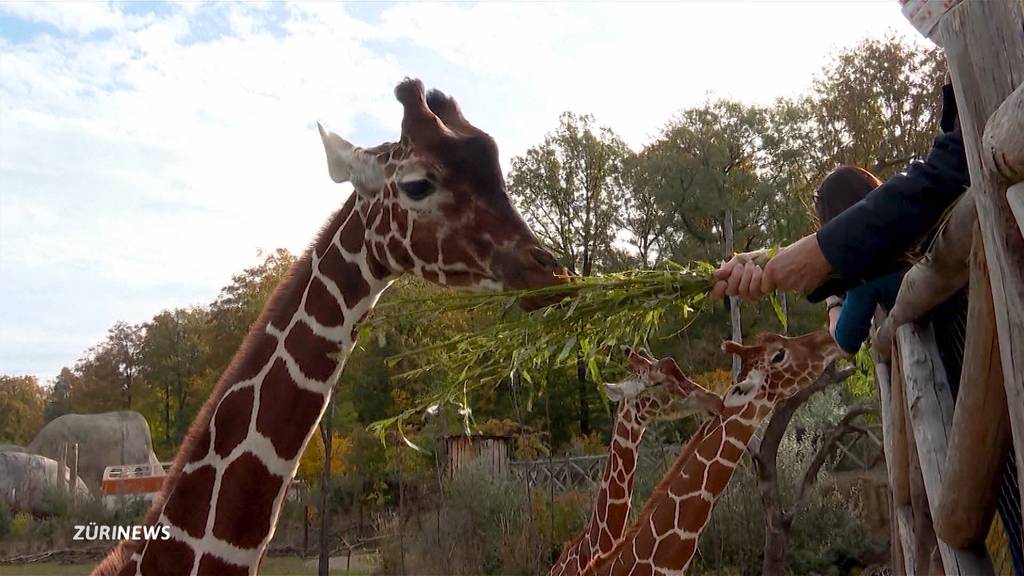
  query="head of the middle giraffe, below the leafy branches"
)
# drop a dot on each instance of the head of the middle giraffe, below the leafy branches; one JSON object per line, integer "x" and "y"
{"x": 661, "y": 391}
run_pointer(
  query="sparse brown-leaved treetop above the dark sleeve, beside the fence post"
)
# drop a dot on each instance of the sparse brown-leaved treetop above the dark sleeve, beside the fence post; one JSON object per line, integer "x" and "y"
{"x": 877, "y": 106}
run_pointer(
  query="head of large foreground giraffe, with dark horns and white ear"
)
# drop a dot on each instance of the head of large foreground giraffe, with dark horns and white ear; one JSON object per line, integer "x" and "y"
{"x": 436, "y": 204}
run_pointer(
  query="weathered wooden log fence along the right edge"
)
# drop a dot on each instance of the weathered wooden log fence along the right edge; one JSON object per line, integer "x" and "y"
{"x": 944, "y": 462}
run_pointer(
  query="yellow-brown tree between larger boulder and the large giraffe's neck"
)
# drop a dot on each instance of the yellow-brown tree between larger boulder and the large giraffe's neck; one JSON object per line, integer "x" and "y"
{"x": 173, "y": 354}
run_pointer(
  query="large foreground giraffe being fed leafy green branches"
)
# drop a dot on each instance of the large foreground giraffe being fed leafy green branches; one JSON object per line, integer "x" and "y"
{"x": 435, "y": 204}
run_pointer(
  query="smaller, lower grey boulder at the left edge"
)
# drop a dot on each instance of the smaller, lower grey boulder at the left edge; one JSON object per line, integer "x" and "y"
{"x": 26, "y": 479}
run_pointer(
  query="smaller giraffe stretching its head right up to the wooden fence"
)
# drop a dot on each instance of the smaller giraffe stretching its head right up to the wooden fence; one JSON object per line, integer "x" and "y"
{"x": 665, "y": 538}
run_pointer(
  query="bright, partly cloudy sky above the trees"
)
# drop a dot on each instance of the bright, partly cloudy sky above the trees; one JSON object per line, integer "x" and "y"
{"x": 150, "y": 151}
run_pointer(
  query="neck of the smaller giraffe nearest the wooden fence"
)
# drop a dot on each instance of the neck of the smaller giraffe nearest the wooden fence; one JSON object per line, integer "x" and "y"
{"x": 665, "y": 539}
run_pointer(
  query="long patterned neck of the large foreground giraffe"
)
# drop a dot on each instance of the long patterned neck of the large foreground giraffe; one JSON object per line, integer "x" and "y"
{"x": 226, "y": 489}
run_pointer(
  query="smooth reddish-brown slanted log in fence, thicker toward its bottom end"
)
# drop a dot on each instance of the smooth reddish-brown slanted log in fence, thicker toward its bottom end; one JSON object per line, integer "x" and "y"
{"x": 978, "y": 449}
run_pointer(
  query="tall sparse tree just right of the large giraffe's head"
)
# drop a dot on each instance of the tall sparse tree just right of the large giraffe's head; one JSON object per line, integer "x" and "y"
{"x": 568, "y": 189}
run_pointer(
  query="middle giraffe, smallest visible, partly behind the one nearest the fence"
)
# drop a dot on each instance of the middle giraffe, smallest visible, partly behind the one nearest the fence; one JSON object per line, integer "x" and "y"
{"x": 662, "y": 392}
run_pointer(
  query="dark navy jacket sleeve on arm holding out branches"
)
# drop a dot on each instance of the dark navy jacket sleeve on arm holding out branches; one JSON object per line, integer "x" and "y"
{"x": 872, "y": 237}
